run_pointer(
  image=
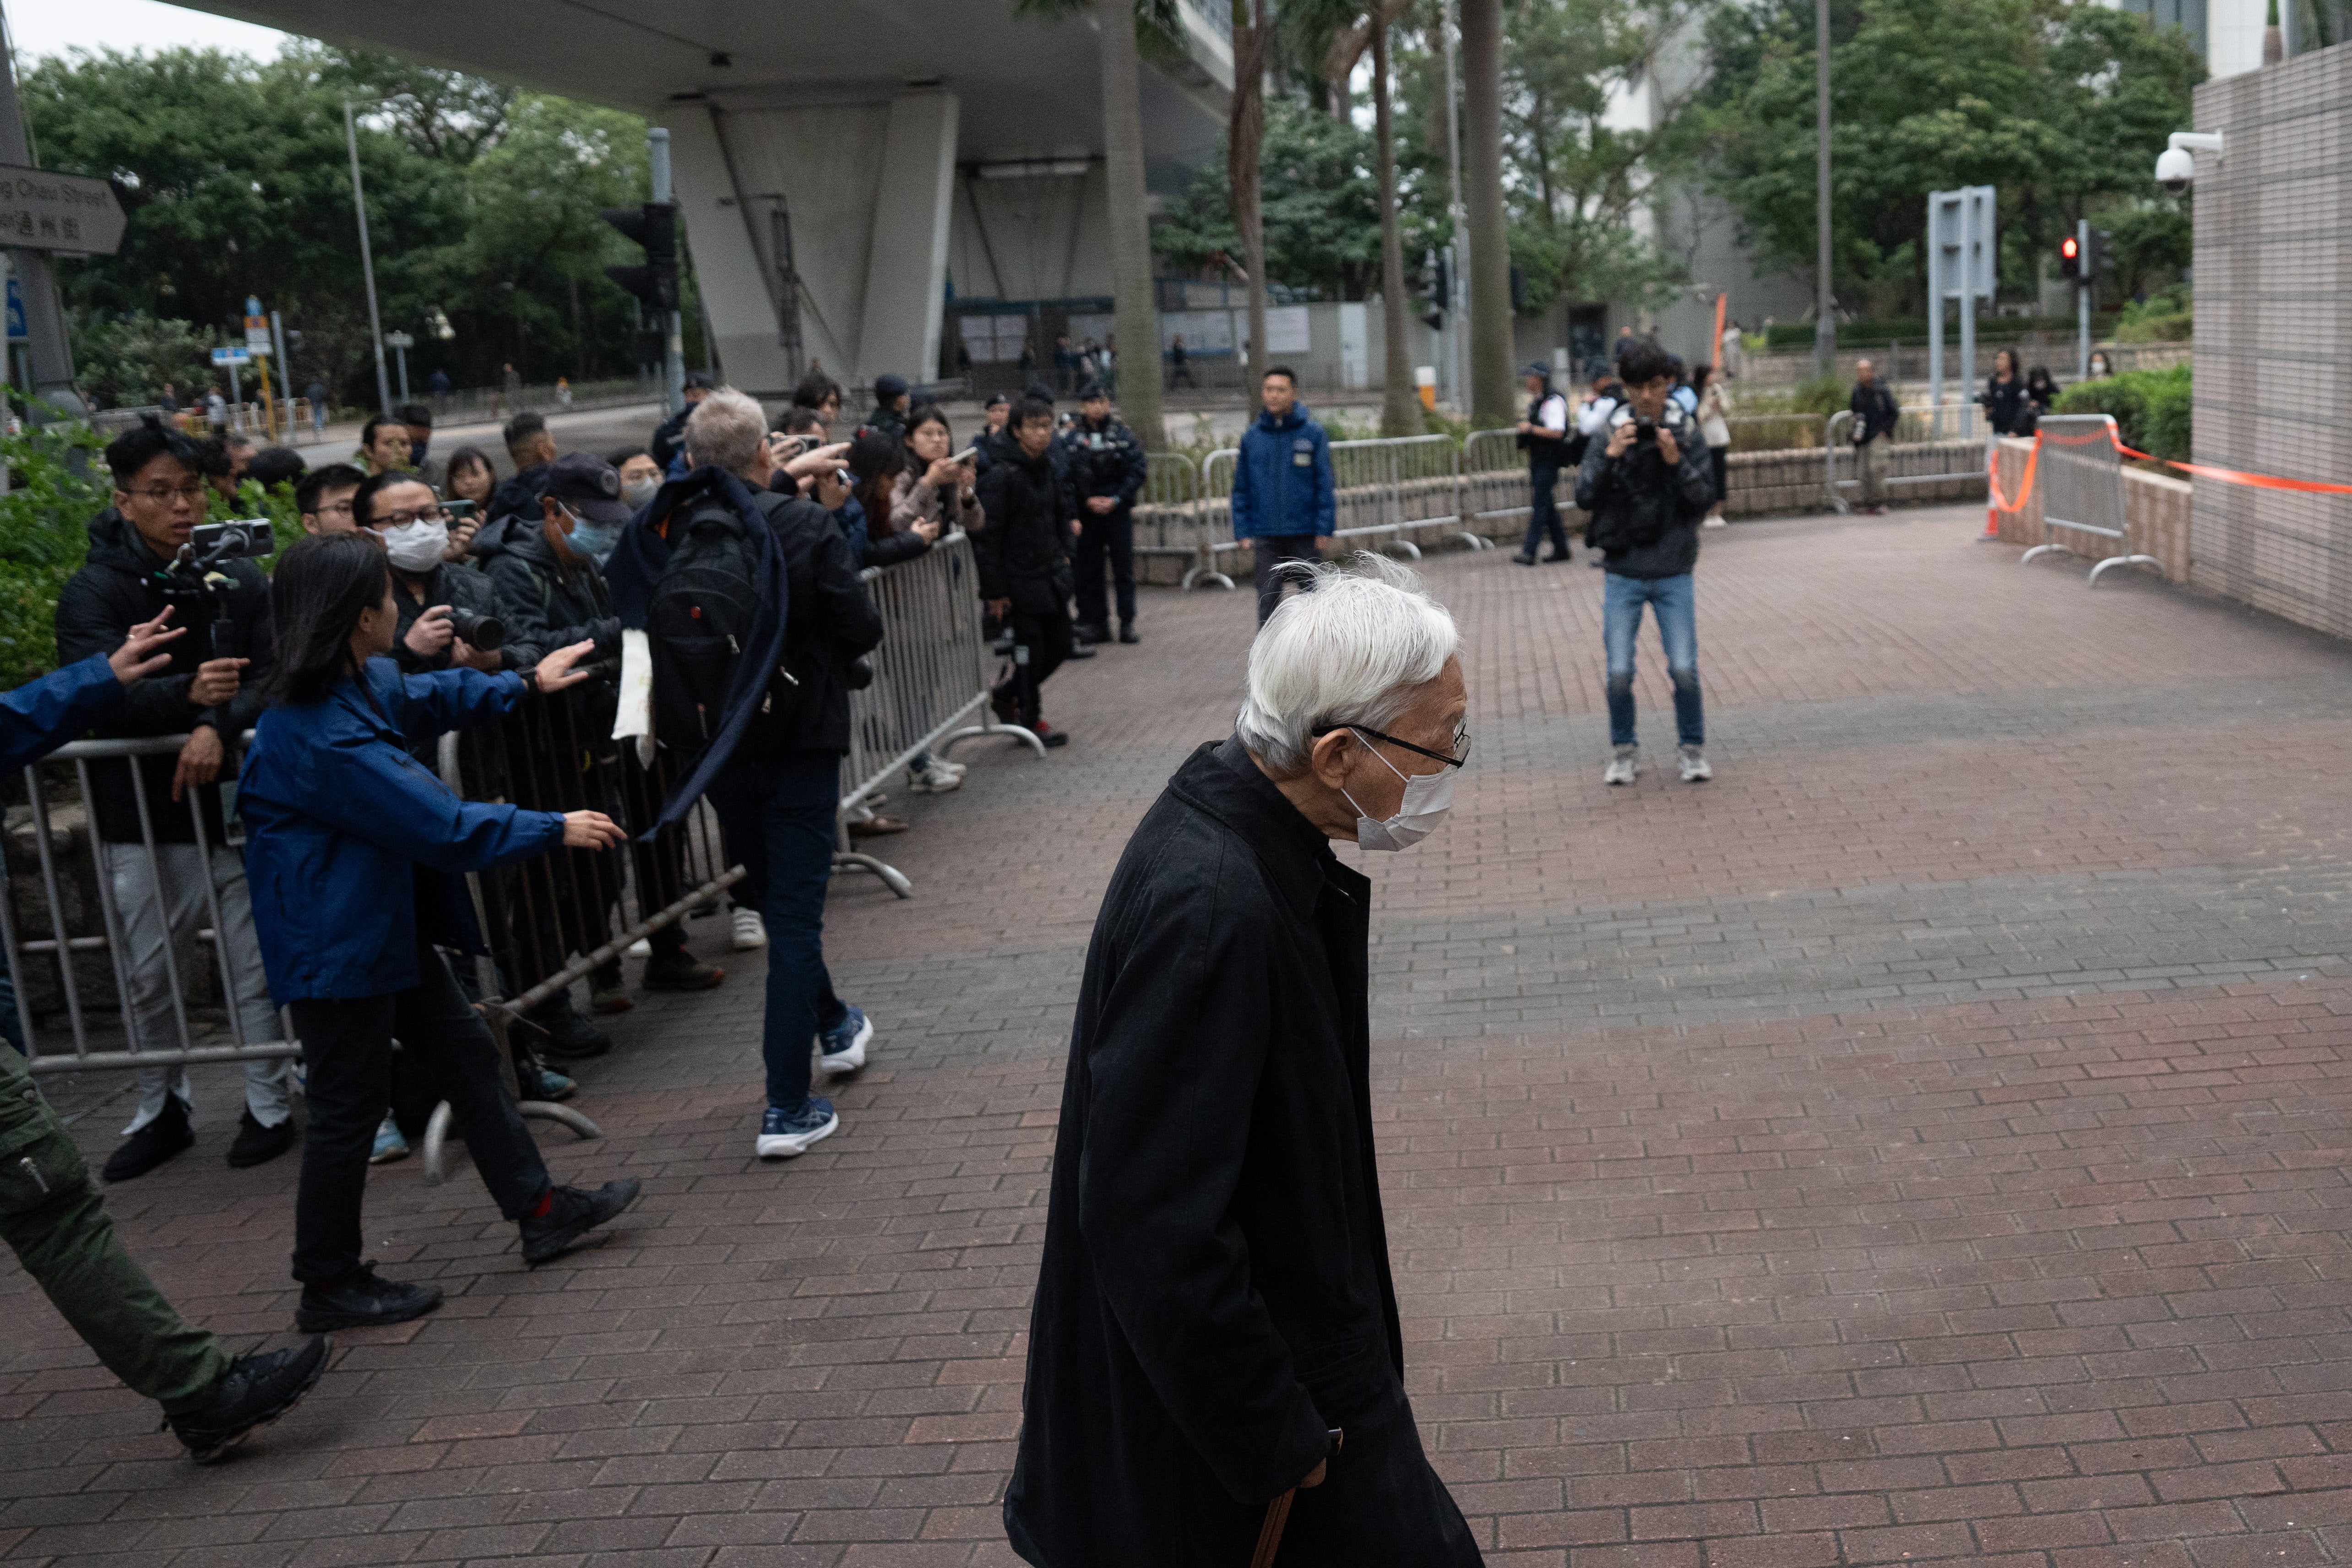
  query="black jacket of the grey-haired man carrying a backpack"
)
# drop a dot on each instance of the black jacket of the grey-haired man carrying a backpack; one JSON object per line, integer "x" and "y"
{"x": 827, "y": 626}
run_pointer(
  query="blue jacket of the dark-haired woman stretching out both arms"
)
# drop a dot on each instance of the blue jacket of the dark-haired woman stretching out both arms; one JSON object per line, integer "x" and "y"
{"x": 354, "y": 847}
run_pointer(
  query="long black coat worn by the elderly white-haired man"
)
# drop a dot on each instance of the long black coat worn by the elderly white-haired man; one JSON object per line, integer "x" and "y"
{"x": 1215, "y": 1289}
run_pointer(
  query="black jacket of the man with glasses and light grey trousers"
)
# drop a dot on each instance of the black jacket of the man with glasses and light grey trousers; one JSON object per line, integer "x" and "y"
{"x": 121, "y": 584}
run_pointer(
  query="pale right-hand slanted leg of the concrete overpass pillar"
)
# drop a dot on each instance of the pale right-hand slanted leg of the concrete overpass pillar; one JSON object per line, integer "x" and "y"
{"x": 907, "y": 274}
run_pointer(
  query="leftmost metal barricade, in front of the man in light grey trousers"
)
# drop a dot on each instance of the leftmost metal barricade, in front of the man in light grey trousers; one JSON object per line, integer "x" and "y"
{"x": 60, "y": 927}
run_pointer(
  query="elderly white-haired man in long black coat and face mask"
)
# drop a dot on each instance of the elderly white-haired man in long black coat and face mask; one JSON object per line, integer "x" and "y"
{"x": 1215, "y": 1351}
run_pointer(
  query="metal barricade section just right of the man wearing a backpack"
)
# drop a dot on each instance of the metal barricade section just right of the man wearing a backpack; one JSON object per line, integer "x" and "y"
{"x": 933, "y": 676}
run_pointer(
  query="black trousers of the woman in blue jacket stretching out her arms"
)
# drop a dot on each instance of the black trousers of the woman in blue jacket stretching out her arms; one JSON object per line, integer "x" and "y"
{"x": 349, "y": 1047}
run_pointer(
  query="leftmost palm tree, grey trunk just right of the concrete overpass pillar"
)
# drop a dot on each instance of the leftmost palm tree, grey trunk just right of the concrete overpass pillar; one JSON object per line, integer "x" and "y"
{"x": 1137, "y": 311}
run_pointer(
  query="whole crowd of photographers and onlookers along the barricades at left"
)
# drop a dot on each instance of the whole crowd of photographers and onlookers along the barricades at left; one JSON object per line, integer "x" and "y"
{"x": 646, "y": 662}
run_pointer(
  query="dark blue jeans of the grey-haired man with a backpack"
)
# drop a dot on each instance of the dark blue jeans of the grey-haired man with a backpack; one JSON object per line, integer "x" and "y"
{"x": 780, "y": 824}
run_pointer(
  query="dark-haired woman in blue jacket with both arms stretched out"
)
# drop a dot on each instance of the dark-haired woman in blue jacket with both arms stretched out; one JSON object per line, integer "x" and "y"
{"x": 356, "y": 857}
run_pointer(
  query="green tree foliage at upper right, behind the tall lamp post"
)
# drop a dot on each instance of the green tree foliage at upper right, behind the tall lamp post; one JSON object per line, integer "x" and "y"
{"x": 2052, "y": 102}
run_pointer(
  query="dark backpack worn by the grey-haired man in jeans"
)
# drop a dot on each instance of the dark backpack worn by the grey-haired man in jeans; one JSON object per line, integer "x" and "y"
{"x": 700, "y": 619}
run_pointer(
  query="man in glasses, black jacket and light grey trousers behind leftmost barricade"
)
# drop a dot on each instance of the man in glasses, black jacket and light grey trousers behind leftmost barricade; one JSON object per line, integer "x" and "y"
{"x": 133, "y": 575}
